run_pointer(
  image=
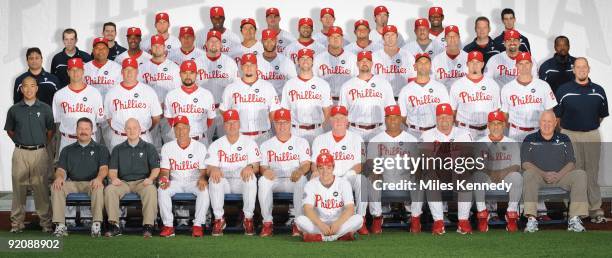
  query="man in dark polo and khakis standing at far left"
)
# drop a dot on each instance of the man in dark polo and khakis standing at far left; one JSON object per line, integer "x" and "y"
{"x": 29, "y": 123}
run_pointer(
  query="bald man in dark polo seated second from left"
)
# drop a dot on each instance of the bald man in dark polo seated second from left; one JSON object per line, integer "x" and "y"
{"x": 133, "y": 167}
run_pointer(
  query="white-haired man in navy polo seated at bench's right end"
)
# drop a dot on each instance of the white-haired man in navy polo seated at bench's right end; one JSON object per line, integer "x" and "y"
{"x": 548, "y": 160}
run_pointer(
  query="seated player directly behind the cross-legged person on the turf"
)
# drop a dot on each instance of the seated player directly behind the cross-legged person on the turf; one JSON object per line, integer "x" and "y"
{"x": 346, "y": 148}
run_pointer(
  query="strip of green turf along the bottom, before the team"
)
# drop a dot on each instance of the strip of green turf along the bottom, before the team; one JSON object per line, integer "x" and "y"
{"x": 392, "y": 243}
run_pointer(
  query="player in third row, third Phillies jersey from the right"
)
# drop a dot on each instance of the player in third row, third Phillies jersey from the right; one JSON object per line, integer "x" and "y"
{"x": 395, "y": 65}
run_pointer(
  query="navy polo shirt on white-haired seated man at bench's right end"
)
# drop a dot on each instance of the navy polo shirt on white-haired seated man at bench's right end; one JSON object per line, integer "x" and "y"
{"x": 547, "y": 155}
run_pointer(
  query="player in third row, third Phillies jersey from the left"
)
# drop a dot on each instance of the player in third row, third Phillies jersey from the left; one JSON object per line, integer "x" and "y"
{"x": 215, "y": 72}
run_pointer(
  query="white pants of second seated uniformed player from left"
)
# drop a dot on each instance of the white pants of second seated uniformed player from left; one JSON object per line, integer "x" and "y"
{"x": 248, "y": 190}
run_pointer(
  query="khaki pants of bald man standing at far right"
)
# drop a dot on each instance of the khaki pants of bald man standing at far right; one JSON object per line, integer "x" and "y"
{"x": 587, "y": 149}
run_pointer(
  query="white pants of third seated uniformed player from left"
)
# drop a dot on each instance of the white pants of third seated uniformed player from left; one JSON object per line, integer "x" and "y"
{"x": 268, "y": 187}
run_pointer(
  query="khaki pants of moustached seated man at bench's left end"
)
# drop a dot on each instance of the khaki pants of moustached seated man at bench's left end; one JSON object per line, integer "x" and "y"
{"x": 58, "y": 199}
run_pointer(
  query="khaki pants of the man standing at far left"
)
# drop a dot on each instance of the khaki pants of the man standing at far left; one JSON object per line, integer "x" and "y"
{"x": 30, "y": 169}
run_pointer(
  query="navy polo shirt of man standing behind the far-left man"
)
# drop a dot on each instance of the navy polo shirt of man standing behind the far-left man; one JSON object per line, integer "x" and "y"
{"x": 48, "y": 84}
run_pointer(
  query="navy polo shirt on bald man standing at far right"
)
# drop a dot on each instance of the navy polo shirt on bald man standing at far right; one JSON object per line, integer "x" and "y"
{"x": 581, "y": 107}
